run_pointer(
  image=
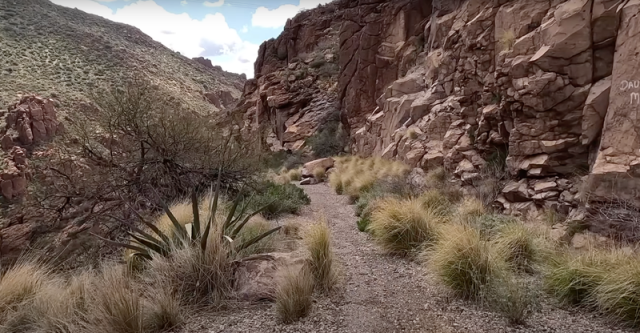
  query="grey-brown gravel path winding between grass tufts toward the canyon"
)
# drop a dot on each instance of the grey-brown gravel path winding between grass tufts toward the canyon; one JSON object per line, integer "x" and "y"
{"x": 380, "y": 293}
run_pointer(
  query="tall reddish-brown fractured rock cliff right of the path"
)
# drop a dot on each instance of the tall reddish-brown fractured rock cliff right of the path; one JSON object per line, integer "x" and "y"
{"x": 549, "y": 88}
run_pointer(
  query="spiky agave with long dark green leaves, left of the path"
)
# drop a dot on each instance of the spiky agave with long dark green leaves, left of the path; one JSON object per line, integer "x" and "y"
{"x": 145, "y": 244}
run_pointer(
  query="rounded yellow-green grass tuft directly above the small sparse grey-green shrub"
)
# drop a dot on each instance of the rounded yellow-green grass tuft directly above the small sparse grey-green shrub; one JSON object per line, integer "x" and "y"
{"x": 519, "y": 246}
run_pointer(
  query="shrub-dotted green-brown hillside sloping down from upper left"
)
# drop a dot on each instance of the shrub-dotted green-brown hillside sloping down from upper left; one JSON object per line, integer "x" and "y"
{"x": 63, "y": 52}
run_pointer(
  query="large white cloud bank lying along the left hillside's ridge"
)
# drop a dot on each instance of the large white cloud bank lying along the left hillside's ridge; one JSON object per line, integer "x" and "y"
{"x": 210, "y": 37}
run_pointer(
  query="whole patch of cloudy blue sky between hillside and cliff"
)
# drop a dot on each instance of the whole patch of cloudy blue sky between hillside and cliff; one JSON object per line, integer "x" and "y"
{"x": 229, "y": 32}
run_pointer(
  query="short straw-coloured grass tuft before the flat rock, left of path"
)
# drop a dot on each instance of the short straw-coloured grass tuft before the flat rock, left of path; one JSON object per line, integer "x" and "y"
{"x": 294, "y": 295}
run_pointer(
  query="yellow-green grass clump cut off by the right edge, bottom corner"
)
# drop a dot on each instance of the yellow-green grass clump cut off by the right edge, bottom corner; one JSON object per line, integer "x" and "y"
{"x": 619, "y": 292}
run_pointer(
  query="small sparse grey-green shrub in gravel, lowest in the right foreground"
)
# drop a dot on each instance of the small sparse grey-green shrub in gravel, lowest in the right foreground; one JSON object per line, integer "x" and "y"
{"x": 514, "y": 298}
